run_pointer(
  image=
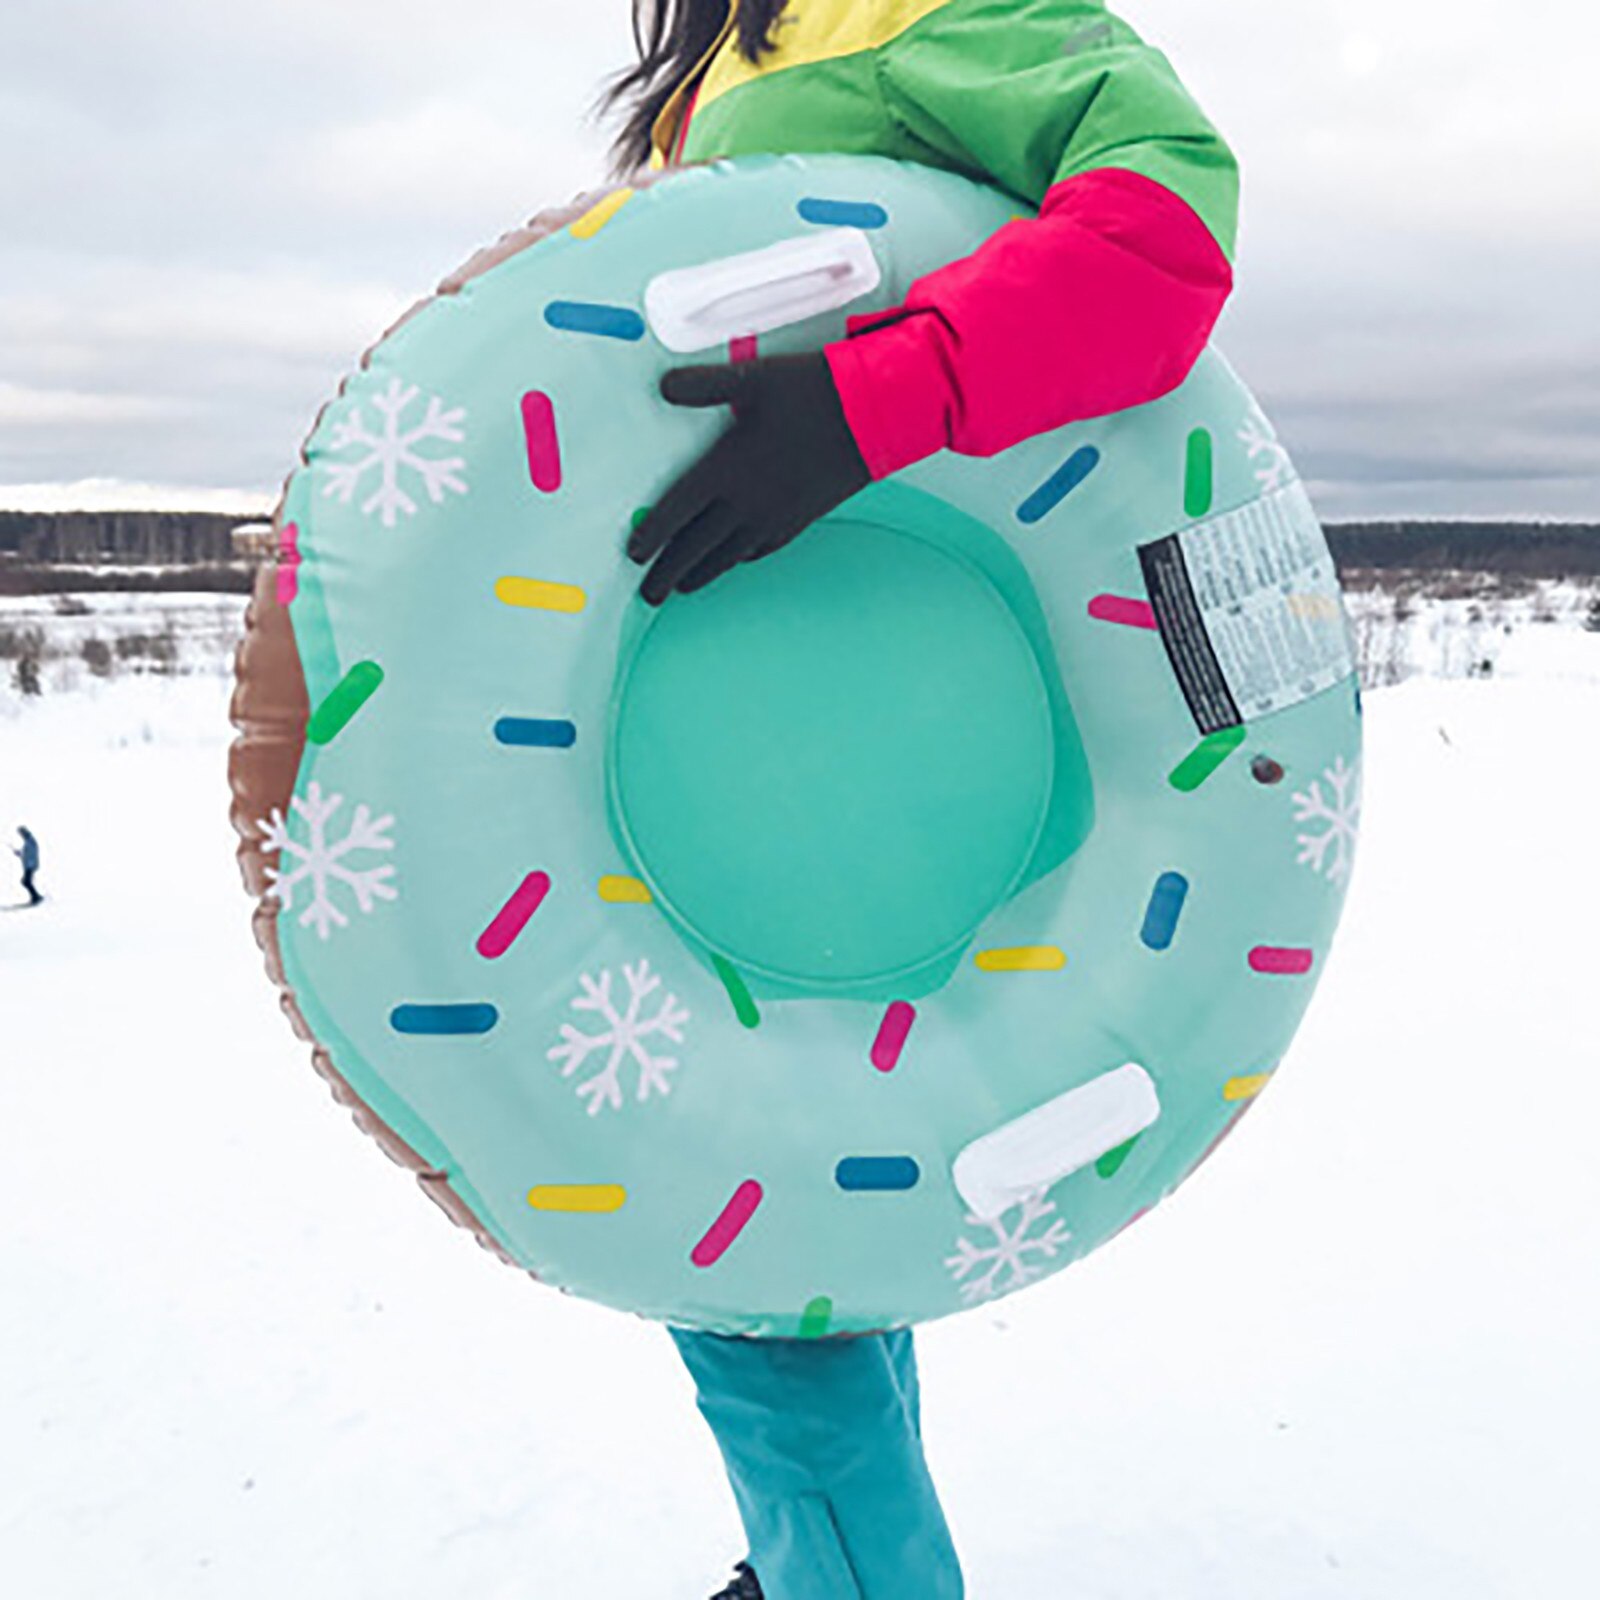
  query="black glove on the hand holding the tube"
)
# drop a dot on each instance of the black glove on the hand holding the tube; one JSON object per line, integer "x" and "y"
{"x": 788, "y": 460}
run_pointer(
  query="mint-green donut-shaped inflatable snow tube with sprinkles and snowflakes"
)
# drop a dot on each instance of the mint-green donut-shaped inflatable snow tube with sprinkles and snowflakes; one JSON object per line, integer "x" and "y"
{"x": 863, "y": 938}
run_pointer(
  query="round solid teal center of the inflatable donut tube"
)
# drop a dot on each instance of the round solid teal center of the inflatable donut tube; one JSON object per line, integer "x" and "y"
{"x": 834, "y": 764}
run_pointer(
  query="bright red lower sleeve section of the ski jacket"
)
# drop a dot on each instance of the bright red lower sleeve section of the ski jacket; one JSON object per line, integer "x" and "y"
{"x": 1100, "y": 303}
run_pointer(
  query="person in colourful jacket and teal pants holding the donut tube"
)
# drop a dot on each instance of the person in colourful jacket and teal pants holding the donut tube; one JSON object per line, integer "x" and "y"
{"x": 1102, "y": 298}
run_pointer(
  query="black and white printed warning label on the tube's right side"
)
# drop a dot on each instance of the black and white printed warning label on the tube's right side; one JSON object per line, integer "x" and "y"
{"x": 1250, "y": 610}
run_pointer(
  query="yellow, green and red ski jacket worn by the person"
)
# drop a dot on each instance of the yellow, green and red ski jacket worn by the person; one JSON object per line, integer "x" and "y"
{"x": 1102, "y": 302}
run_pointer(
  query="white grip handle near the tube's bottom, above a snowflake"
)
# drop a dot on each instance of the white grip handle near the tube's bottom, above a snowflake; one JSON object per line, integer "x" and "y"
{"x": 1055, "y": 1142}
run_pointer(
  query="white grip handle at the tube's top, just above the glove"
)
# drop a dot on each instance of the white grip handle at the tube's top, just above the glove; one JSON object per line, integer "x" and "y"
{"x": 740, "y": 297}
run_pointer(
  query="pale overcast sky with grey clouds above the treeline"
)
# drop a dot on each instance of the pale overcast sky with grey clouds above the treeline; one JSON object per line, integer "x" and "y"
{"x": 209, "y": 207}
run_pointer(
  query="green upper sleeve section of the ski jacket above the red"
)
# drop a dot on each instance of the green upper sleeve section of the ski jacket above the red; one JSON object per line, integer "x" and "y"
{"x": 1030, "y": 94}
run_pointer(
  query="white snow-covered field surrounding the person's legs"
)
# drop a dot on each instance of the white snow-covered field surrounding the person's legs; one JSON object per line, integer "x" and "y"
{"x": 242, "y": 1358}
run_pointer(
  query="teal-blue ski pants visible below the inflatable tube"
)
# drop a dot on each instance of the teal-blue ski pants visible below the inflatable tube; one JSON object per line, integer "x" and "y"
{"x": 823, "y": 1446}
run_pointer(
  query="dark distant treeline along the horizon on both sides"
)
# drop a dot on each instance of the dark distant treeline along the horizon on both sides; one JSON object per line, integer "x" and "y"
{"x": 206, "y": 545}
